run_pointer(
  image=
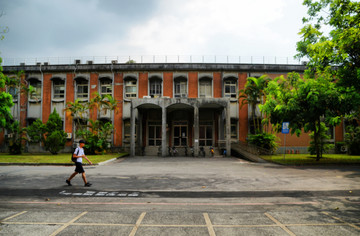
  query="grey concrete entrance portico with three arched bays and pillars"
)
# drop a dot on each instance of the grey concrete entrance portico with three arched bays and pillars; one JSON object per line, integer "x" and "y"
{"x": 180, "y": 122}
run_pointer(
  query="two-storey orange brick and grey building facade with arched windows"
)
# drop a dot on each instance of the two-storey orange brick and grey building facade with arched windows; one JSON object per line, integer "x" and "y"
{"x": 160, "y": 105}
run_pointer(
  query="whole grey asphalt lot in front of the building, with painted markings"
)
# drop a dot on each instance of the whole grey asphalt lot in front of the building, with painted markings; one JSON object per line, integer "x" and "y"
{"x": 181, "y": 196}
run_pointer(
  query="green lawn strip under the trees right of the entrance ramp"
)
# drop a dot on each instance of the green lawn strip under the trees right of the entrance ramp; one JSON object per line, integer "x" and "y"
{"x": 307, "y": 159}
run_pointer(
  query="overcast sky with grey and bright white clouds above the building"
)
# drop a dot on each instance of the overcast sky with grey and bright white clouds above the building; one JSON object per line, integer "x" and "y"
{"x": 52, "y": 28}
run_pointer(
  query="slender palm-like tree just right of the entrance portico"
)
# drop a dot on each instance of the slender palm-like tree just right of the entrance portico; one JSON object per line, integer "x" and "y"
{"x": 252, "y": 95}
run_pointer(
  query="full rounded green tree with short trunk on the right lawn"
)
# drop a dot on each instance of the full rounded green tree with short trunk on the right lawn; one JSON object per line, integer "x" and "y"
{"x": 307, "y": 104}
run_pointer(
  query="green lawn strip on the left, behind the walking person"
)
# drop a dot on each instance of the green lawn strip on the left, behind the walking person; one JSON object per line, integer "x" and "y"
{"x": 49, "y": 158}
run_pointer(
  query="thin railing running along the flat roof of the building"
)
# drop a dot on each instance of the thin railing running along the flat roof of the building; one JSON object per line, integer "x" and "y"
{"x": 151, "y": 59}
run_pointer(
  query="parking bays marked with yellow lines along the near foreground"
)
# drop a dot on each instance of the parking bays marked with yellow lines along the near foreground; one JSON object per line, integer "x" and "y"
{"x": 178, "y": 223}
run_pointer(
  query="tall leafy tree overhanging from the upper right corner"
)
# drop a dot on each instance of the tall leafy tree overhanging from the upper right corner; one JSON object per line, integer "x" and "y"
{"x": 331, "y": 42}
